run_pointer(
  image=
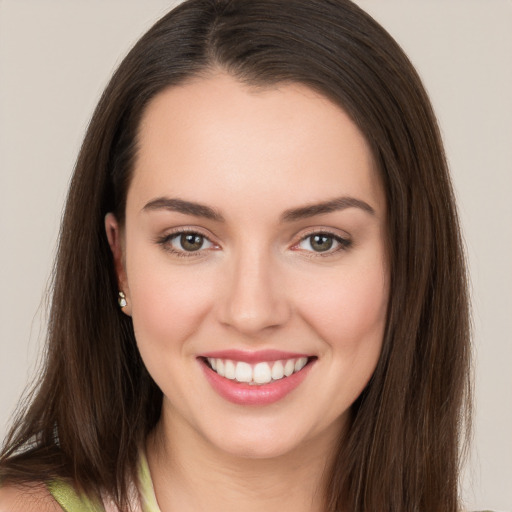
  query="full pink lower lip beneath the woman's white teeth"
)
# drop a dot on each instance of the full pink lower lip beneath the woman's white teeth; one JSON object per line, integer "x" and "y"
{"x": 262, "y": 394}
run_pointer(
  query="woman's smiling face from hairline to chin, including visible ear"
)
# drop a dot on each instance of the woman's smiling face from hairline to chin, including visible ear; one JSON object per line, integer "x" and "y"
{"x": 253, "y": 262}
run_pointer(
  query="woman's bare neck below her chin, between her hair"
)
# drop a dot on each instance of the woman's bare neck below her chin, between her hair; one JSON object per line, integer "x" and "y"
{"x": 190, "y": 474}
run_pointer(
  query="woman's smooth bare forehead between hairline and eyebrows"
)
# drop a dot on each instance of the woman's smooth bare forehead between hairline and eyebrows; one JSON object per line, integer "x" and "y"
{"x": 284, "y": 143}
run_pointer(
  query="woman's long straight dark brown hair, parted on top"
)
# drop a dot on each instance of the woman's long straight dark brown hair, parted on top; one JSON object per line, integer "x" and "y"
{"x": 95, "y": 403}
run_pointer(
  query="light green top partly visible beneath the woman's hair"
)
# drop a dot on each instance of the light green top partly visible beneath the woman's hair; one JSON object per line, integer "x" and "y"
{"x": 71, "y": 501}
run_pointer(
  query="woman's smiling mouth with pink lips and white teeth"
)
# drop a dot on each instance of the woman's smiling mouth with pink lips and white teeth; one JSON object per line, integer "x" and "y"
{"x": 255, "y": 381}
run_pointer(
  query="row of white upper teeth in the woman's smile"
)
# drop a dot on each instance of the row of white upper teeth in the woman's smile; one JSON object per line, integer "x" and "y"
{"x": 260, "y": 373}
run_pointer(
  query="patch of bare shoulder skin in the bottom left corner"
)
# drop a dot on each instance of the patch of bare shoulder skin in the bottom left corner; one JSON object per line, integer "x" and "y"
{"x": 27, "y": 498}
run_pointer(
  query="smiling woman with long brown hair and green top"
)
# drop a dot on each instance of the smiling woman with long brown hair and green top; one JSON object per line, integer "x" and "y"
{"x": 260, "y": 295}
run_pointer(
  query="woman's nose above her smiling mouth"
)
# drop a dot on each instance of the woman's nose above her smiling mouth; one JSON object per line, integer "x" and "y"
{"x": 254, "y": 299}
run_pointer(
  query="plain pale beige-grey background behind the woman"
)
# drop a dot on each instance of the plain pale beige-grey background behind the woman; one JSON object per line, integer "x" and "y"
{"x": 55, "y": 58}
